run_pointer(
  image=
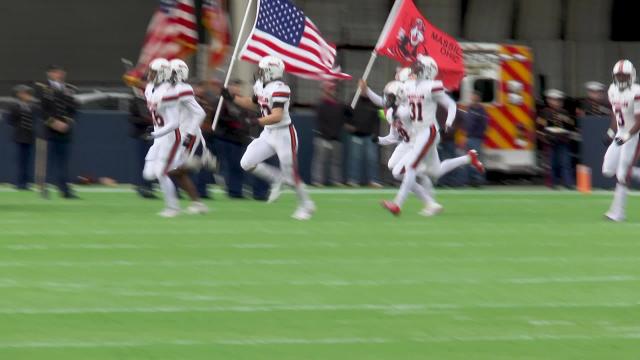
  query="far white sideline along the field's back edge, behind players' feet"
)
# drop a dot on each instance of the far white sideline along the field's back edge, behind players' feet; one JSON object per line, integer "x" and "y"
{"x": 507, "y": 191}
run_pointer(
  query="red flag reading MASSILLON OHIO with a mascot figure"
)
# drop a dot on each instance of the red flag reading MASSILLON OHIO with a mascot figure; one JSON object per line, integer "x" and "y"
{"x": 407, "y": 33}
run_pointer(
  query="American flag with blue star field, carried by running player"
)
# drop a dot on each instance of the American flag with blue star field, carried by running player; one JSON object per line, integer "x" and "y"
{"x": 282, "y": 30}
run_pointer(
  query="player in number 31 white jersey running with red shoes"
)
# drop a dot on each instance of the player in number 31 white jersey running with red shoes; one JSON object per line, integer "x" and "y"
{"x": 424, "y": 93}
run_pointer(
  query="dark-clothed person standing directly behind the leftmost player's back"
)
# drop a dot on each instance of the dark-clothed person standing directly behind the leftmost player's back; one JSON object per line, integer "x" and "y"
{"x": 140, "y": 120}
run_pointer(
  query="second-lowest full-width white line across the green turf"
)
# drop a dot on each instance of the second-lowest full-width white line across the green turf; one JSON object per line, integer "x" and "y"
{"x": 306, "y": 307}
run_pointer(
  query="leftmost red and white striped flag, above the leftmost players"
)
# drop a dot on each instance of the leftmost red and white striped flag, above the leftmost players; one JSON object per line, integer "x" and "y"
{"x": 172, "y": 33}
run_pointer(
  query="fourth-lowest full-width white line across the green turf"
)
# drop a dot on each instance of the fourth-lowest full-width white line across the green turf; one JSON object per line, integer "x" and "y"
{"x": 298, "y": 262}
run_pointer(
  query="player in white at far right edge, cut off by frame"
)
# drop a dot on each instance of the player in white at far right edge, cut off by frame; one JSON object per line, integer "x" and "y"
{"x": 624, "y": 96}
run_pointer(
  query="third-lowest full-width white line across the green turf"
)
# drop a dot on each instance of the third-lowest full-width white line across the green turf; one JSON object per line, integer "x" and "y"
{"x": 55, "y": 285}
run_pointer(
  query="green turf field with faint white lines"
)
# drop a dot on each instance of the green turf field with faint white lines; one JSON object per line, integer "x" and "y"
{"x": 499, "y": 275}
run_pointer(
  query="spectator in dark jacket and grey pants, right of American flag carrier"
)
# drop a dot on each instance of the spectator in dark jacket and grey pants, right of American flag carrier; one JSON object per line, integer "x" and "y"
{"x": 327, "y": 145}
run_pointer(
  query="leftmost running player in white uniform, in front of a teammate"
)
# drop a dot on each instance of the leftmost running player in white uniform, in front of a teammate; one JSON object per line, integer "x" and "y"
{"x": 163, "y": 154}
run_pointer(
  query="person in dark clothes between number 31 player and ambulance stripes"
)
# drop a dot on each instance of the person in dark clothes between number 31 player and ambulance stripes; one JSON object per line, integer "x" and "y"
{"x": 475, "y": 122}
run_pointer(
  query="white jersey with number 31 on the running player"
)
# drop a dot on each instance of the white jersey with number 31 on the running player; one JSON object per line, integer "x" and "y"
{"x": 422, "y": 103}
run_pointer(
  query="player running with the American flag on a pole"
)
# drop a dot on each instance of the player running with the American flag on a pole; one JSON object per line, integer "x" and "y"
{"x": 272, "y": 98}
